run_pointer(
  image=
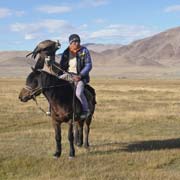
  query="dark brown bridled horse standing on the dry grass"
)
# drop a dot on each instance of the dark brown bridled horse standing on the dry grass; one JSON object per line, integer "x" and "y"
{"x": 59, "y": 94}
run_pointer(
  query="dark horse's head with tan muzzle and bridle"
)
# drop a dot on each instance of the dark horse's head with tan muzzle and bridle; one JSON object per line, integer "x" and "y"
{"x": 33, "y": 86}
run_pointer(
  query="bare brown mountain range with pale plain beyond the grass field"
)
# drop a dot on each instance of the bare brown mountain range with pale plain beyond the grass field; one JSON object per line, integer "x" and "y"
{"x": 160, "y": 52}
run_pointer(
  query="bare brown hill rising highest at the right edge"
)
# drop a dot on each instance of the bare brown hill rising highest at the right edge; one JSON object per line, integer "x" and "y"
{"x": 162, "y": 49}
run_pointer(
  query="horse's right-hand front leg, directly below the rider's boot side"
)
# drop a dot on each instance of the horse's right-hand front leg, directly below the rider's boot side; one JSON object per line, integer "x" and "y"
{"x": 71, "y": 140}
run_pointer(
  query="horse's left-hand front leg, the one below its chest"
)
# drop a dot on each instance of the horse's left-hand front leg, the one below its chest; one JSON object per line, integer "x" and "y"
{"x": 57, "y": 128}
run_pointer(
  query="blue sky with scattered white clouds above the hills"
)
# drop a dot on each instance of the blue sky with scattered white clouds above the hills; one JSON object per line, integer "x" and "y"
{"x": 24, "y": 23}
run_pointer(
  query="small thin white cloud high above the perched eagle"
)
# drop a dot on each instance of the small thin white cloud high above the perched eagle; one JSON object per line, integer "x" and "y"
{"x": 54, "y": 9}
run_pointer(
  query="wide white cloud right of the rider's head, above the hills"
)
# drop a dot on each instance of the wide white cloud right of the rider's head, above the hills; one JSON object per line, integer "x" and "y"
{"x": 122, "y": 33}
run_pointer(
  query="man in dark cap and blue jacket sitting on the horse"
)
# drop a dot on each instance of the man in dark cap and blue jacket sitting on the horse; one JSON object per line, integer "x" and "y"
{"x": 76, "y": 59}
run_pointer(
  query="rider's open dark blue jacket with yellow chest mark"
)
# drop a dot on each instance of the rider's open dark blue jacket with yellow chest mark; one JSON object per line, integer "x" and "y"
{"x": 84, "y": 63}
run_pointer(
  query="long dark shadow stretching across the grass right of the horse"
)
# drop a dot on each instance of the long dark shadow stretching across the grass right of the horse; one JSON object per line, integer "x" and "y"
{"x": 138, "y": 146}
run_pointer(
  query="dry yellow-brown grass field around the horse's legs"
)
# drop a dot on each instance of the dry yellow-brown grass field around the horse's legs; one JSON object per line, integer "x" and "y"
{"x": 135, "y": 134}
